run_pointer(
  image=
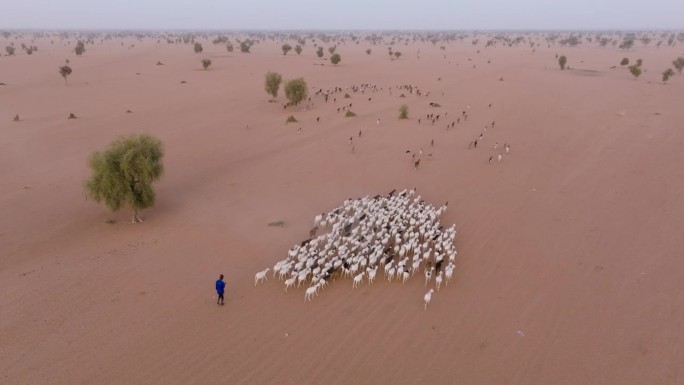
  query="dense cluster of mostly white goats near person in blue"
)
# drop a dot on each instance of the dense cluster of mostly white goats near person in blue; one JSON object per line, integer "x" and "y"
{"x": 398, "y": 233}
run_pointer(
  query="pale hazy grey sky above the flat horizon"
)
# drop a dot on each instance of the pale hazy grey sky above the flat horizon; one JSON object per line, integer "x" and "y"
{"x": 343, "y": 14}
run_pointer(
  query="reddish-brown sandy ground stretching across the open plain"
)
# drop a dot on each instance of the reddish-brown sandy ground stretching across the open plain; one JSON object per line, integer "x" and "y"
{"x": 569, "y": 268}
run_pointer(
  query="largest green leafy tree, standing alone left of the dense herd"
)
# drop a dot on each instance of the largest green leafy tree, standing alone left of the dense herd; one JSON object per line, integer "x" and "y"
{"x": 123, "y": 174}
